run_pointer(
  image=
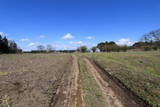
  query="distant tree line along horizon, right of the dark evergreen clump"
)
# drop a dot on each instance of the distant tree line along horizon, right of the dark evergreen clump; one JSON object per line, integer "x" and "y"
{"x": 149, "y": 41}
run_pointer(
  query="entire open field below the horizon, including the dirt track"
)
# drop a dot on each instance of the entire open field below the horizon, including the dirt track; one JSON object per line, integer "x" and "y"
{"x": 129, "y": 79}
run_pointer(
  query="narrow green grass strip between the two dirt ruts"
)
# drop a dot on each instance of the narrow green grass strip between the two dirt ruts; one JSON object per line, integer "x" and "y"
{"x": 92, "y": 93}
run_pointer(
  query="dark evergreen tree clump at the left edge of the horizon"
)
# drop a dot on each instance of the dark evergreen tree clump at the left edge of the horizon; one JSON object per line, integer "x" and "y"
{"x": 8, "y": 46}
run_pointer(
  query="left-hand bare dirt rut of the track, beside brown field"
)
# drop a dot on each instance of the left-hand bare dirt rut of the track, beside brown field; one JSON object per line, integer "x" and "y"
{"x": 69, "y": 93}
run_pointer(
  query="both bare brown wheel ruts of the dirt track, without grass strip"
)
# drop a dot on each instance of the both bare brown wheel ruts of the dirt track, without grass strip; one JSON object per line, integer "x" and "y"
{"x": 70, "y": 93}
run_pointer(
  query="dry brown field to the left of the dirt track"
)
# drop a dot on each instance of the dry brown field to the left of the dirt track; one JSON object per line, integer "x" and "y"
{"x": 31, "y": 80}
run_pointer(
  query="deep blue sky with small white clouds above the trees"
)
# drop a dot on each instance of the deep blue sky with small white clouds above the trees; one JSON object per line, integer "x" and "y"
{"x": 67, "y": 24}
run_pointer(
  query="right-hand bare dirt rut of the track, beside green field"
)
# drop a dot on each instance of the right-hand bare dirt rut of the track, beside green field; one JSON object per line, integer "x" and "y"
{"x": 112, "y": 93}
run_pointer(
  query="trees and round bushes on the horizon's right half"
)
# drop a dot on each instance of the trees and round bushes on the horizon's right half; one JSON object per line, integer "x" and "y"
{"x": 149, "y": 41}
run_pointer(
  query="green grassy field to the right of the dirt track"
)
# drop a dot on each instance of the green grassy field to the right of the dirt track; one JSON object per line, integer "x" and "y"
{"x": 139, "y": 71}
